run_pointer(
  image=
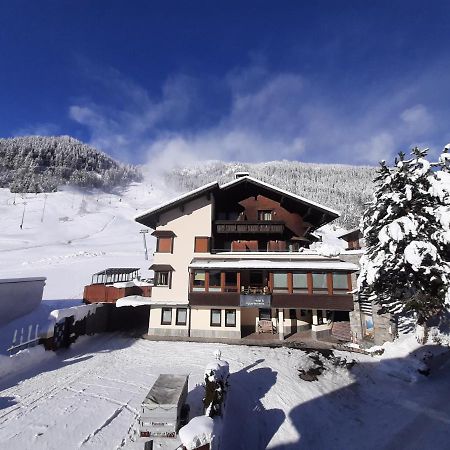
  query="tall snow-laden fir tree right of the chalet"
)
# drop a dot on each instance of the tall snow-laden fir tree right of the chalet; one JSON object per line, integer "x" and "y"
{"x": 406, "y": 227}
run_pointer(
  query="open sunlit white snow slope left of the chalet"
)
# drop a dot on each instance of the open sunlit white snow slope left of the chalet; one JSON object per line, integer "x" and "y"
{"x": 68, "y": 235}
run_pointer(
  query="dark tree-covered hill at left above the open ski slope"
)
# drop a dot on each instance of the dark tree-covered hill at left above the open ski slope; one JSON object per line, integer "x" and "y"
{"x": 41, "y": 164}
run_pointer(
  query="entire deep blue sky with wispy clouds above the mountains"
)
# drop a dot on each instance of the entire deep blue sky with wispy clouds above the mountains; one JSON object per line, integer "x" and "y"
{"x": 175, "y": 81}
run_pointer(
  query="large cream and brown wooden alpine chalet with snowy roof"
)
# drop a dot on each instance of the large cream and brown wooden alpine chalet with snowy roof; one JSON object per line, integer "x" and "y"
{"x": 234, "y": 259}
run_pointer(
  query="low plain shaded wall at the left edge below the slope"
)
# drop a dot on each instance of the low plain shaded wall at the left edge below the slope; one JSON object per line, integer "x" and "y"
{"x": 19, "y": 296}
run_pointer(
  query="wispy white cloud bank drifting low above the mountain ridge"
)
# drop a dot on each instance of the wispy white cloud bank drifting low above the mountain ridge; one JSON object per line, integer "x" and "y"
{"x": 269, "y": 116}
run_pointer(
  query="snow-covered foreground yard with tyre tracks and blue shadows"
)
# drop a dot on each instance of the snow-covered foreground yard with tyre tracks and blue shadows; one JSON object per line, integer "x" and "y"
{"x": 88, "y": 397}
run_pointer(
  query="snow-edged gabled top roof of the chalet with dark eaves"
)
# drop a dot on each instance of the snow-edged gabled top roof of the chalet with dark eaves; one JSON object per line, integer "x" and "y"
{"x": 150, "y": 217}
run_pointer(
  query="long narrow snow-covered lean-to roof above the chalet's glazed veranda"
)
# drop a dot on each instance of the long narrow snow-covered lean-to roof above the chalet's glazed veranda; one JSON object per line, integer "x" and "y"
{"x": 307, "y": 264}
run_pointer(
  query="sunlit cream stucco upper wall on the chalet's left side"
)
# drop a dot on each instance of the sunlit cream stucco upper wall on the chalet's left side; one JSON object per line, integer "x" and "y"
{"x": 195, "y": 220}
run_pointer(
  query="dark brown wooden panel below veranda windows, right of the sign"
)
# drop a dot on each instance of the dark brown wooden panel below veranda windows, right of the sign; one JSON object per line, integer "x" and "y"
{"x": 314, "y": 301}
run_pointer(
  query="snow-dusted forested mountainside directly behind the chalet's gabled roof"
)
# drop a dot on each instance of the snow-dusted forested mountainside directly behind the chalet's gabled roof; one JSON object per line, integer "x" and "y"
{"x": 341, "y": 187}
